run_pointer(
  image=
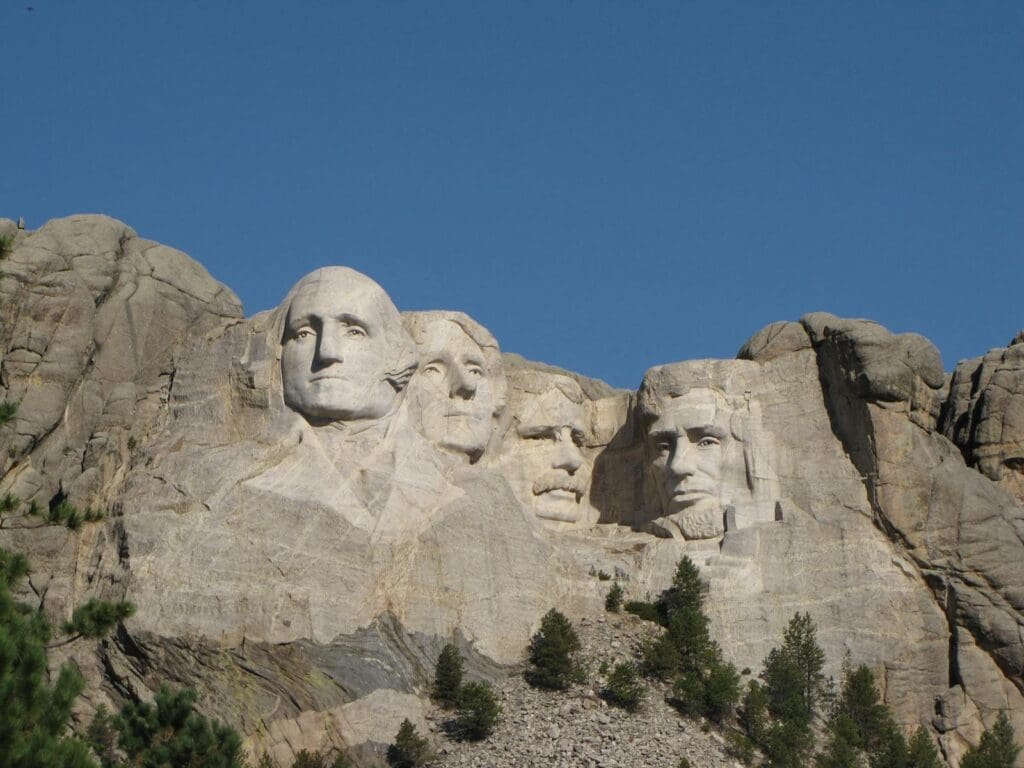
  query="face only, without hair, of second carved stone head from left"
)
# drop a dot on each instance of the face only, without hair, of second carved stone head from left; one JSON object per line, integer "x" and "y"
{"x": 452, "y": 396}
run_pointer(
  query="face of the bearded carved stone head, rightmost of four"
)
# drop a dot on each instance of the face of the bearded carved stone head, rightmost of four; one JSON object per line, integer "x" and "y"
{"x": 687, "y": 446}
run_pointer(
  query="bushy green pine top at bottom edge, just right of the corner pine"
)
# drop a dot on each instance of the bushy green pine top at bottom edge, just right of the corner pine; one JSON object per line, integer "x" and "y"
{"x": 169, "y": 734}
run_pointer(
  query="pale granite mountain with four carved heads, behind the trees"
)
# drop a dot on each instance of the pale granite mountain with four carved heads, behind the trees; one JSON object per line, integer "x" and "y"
{"x": 306, "y": 505}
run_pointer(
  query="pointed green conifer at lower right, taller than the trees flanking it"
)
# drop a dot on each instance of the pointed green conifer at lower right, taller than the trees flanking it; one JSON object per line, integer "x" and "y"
{"x": 793, "y": 673}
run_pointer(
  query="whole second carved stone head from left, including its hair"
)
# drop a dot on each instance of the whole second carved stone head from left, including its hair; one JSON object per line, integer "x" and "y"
{"x": 459, "y": 387}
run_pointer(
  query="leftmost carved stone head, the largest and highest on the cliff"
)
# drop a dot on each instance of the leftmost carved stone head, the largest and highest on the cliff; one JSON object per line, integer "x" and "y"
{"x": 335, "y": 356}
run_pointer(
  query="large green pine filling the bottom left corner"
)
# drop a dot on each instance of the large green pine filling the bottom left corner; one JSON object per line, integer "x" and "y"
{"x": 34, "y": 713}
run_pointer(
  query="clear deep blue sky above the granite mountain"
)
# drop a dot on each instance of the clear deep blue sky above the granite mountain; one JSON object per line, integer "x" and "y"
{"x": 606, "y": 186}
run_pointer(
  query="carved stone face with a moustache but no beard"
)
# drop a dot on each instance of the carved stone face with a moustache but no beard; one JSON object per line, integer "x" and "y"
{"x": 548, "y": 471}
